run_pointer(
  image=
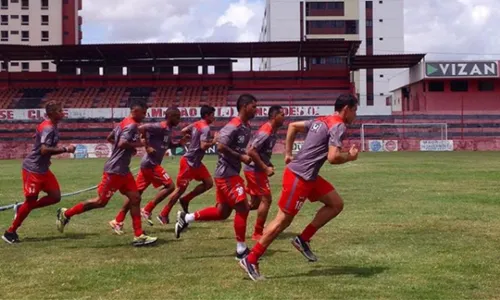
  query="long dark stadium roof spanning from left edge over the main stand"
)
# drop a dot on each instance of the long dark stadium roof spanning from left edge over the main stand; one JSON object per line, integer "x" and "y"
{"x": 124, "y": 52}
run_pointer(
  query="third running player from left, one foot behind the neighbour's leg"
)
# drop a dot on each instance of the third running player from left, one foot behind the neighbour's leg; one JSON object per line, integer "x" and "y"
{"x": 157, "y": 138}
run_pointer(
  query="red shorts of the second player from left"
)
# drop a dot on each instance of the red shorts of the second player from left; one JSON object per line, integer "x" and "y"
{"x": 111, "y": 183}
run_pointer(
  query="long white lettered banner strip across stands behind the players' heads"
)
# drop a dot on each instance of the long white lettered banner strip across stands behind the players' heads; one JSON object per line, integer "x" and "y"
{"x": 193, "y": 112}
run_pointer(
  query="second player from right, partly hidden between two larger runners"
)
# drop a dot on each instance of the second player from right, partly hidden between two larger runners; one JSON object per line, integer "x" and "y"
{"x": 261, "y": 168}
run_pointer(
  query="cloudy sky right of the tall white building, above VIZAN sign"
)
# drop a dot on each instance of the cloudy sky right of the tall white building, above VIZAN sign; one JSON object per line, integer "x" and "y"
{"x": 447, "y": 28}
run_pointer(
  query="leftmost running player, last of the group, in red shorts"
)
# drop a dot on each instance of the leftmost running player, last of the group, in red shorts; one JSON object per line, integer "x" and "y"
{"x": 37, "y": 176}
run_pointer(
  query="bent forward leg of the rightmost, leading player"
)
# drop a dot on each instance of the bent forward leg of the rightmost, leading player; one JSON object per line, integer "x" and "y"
{"x": 333, "y": 205}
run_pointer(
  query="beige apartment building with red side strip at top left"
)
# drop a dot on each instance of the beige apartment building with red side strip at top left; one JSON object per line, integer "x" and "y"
{"x": 39, "y": 22}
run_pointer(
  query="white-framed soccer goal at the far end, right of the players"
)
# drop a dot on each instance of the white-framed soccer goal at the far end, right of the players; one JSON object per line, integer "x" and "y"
{"x": 406, "y": 136}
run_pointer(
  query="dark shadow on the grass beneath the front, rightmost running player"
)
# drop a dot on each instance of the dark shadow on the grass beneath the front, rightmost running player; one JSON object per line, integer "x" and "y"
{"x": 336, "y": 271}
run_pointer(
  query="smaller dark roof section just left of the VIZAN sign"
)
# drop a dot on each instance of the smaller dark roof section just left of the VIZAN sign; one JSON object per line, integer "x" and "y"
{"x": 393, "y": 61}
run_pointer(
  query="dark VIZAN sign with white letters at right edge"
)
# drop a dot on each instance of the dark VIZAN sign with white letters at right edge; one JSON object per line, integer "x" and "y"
{"x": 462, "y": 69}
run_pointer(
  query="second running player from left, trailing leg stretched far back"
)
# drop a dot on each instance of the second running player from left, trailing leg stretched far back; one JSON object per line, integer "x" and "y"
{"x": 117, "y": 176}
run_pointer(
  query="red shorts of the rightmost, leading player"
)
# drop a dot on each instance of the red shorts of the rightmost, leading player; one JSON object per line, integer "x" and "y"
{"x": 296, "y": 190}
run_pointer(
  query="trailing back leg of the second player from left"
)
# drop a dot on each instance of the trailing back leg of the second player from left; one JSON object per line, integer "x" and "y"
{"x": 110, "y": 183}
